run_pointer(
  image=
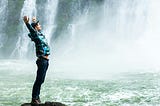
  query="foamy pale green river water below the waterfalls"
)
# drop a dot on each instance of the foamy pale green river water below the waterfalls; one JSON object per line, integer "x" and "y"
{"x": 132, "y": 89}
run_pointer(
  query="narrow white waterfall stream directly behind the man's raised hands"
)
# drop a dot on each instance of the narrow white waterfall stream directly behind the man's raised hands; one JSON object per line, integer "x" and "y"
{"x": 22, "y": 46}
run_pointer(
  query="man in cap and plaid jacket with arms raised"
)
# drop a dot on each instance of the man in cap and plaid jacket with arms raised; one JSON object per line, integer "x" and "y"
{"x": 42, "y": 53}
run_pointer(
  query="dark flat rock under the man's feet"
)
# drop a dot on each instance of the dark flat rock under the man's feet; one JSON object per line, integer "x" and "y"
{"x": 44, "y": 104}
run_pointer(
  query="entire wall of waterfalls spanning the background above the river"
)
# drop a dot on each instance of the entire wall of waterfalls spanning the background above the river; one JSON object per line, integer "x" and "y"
{"x": 111, "y": 32}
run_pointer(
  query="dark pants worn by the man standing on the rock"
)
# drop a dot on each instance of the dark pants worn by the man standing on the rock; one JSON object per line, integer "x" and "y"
{"x": 42, "y": 65}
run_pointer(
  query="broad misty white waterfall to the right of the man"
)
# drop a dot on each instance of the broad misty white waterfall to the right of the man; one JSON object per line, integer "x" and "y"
{"x": 123, "y": 36}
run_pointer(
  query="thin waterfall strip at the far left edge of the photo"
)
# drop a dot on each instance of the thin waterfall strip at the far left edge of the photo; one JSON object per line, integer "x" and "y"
{"x": 3, "y": 14}
